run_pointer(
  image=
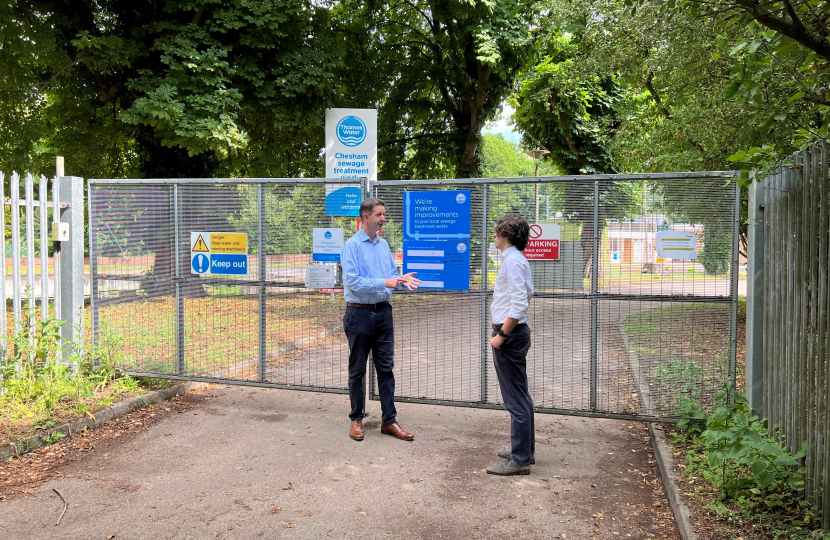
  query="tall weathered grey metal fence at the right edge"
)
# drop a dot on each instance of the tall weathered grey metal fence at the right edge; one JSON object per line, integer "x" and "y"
{"x": 787, "y": 312}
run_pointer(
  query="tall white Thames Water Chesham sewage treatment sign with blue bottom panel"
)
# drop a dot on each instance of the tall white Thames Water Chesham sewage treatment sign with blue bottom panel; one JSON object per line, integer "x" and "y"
{"x": 351, "y": 152}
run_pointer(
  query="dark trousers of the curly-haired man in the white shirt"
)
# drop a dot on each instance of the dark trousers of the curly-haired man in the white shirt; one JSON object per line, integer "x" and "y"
{"x": 511, "y": 368}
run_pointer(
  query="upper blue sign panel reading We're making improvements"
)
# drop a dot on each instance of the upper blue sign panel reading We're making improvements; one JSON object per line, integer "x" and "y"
{"x": 436, "y": 215}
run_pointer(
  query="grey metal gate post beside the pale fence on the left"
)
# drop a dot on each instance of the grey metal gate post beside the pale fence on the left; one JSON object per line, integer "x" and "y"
{"x": 72, "y": 267}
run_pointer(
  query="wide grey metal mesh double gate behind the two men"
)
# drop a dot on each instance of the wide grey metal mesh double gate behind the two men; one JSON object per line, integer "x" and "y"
{"x": 617, "y": 332}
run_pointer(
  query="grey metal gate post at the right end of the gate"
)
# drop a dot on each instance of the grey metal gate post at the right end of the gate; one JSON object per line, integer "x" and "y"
{"x": 755, "y": 296}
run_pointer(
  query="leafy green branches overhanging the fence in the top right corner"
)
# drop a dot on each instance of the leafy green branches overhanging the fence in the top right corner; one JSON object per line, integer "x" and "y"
{"x": 778, "y": 70}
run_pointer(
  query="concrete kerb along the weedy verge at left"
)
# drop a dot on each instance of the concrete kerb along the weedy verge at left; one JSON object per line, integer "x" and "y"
{"x": 116, "y": 411}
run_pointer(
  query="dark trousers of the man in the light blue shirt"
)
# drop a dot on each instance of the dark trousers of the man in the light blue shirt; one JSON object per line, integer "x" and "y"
{"x": 371, "y": 330}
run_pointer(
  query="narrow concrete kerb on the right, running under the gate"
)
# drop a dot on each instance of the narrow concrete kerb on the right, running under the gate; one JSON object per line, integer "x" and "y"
{"x": 662, "y": 452}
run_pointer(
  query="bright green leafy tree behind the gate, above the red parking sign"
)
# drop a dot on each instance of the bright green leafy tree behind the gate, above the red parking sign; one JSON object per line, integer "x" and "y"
{"x": 573, "y": 113}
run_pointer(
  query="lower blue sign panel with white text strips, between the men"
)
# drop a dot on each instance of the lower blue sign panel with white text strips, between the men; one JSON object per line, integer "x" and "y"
{"x": 441, "y": 264}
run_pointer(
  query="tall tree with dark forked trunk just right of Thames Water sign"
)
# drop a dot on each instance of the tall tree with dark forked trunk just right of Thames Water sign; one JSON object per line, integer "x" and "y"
{"x": 438, "y": 72}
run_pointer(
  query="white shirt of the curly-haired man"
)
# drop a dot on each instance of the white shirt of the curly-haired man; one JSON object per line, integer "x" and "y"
{"x": 514, "y": 287}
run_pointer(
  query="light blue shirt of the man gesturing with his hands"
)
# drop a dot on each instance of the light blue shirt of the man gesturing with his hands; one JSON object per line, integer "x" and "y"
{"x": 366, "y": 266}
